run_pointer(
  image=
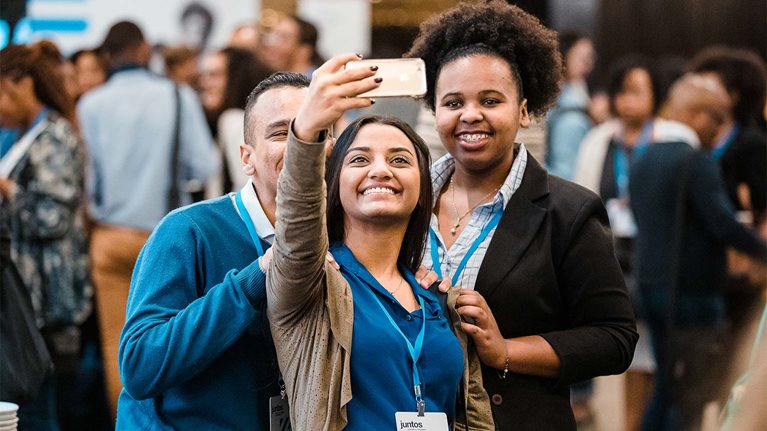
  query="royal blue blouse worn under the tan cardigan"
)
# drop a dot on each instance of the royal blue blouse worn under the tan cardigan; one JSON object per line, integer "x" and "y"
{"x": 381, "y": 366}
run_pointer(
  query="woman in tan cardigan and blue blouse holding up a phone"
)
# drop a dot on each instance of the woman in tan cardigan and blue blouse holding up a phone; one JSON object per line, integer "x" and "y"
{"x": 363, "y": 347}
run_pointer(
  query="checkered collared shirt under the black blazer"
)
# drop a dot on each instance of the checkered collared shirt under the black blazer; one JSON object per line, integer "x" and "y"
{"x": 480, "y": 217}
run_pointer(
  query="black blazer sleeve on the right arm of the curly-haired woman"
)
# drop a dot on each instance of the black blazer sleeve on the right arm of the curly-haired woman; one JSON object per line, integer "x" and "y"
{"x": 602, "y": 333}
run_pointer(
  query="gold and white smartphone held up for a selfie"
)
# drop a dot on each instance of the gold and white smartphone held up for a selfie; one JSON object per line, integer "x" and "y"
{"x": 401, "y": 76}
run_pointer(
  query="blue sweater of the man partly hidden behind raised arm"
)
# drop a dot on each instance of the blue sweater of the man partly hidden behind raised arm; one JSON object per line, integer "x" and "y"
{"x": 196, "y": 352}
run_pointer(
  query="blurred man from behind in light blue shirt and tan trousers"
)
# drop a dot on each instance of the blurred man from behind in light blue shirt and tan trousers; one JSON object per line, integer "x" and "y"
{"x": 130, "y": 126}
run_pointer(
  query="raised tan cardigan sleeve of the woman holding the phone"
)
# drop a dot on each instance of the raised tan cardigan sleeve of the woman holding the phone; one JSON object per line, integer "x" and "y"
{"x": 296, "y": 275}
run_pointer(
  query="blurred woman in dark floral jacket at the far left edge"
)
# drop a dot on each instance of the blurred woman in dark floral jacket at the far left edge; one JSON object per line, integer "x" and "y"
{"x": 42, "y": 193}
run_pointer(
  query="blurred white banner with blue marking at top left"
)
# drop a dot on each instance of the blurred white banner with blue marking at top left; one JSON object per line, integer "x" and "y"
{"x": 75, "y": 24}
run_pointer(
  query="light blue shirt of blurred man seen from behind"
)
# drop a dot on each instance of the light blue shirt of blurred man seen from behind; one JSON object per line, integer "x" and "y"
{"x": 128, "y": 126}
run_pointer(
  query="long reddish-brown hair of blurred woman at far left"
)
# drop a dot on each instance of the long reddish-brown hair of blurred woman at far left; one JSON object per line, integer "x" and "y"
{"x": 42, "y": 62}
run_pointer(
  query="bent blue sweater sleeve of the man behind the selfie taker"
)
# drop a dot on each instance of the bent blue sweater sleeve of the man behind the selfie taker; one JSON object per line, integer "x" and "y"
{"x": 170, "y": 333}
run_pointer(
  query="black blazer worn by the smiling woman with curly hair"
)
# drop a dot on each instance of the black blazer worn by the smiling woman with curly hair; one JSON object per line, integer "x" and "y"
{"x": 550, "y": 270}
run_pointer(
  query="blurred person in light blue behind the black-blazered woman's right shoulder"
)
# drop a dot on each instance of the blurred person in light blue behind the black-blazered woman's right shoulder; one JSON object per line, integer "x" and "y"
{"x": 568, "y": 121}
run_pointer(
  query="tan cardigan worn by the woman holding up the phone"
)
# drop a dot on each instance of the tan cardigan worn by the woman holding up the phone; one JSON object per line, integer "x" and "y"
{"x": 311, "y": 311}
